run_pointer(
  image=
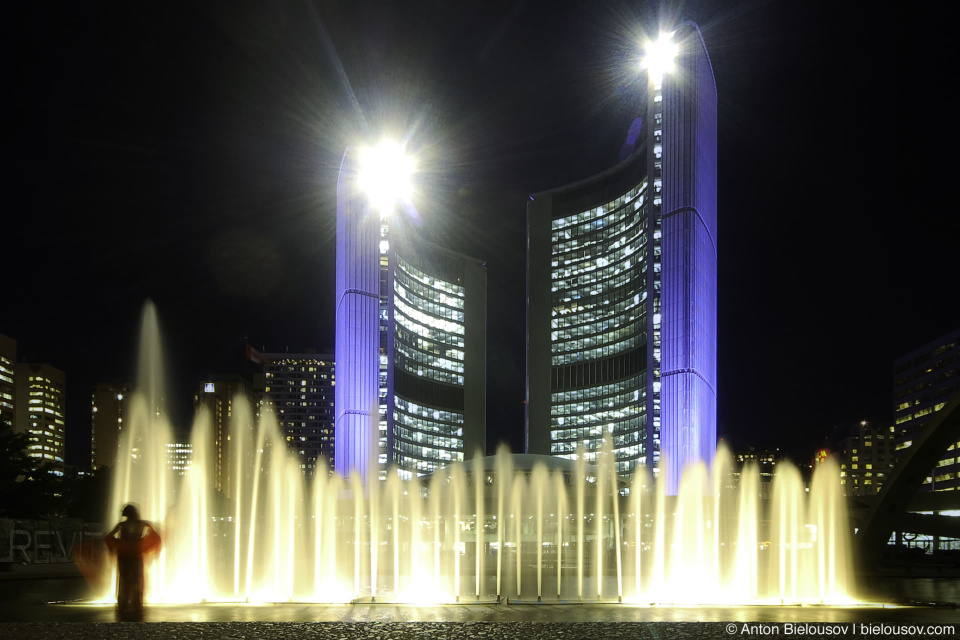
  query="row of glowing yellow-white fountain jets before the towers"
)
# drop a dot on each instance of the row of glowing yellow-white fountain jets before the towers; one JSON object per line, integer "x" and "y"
{"x": 521, "y": 528}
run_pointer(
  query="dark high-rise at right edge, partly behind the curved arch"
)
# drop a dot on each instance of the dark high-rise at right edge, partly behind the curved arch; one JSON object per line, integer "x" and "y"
{"x": 924, "y": 381}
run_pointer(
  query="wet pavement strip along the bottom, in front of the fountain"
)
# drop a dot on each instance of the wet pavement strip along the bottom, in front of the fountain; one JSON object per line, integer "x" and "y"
{"x": 26, "y": 611}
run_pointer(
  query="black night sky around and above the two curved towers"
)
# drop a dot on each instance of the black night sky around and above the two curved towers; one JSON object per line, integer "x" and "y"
{"x": 188, "y": 155}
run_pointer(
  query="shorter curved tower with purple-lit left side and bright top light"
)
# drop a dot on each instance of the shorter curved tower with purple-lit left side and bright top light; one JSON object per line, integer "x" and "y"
{"x": 411, "y": 341}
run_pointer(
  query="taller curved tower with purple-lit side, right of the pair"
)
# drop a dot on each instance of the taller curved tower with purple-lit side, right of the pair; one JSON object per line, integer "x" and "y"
{"x": 622, "y": 284}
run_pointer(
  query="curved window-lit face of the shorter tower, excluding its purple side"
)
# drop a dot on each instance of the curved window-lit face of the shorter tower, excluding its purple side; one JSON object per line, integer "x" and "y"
{"x": 436, "y": 376}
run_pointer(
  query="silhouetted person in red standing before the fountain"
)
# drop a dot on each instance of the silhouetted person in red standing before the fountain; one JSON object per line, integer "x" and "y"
{"x": 130, "y": 540}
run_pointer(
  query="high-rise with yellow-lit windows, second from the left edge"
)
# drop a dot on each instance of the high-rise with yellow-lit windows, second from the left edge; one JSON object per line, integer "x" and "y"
{"x": 41, "y": 407}
